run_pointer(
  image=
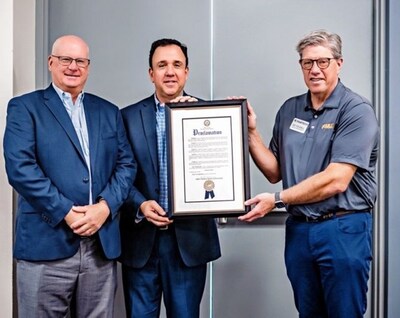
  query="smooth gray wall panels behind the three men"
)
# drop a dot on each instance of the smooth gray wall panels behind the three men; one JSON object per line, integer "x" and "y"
{"x": 235, "y": 48}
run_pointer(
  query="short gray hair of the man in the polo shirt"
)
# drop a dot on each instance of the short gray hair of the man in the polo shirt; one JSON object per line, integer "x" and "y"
{"x": 322, "y": 38}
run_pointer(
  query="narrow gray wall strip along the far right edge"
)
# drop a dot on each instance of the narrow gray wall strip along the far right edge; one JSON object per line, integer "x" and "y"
{"x": 392, "y": 160}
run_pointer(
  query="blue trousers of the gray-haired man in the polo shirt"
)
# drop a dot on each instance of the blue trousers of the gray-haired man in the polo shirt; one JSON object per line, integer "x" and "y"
{"x": 328, "y": 265}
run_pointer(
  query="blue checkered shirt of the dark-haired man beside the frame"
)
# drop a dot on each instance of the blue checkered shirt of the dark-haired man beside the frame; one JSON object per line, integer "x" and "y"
{"x": 162, "y": 156}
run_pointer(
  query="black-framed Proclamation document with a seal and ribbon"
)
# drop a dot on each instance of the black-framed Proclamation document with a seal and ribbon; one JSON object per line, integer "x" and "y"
{"x": 208, "y": 158}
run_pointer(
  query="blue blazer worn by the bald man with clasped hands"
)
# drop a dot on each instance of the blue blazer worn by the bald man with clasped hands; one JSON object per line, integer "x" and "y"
{"x": 46, "y": 166}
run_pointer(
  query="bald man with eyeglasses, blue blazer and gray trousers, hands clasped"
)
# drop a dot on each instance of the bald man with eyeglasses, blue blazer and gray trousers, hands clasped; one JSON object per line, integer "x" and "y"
{"x": 68, "y": 158}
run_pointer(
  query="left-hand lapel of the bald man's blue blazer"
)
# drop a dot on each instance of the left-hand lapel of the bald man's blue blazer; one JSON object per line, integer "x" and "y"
{"x": 55, "y": 105}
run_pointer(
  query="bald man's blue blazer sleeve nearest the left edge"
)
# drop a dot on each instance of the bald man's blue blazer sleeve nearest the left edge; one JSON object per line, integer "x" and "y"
{"x": 23, "y": 170}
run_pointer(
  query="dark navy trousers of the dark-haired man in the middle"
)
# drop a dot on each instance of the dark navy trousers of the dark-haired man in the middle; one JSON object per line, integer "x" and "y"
{"x": 164, "y": 275}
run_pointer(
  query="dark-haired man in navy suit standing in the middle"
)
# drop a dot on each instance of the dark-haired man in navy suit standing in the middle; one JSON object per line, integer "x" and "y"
{"x": 161, "y": 258}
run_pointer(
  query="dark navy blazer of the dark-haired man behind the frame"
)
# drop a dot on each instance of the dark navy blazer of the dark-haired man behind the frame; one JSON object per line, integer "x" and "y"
{"x": 197, "y": 237}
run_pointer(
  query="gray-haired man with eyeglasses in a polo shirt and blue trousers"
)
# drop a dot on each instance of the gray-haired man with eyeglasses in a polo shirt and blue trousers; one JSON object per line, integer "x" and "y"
{"x": 324, "y": 149}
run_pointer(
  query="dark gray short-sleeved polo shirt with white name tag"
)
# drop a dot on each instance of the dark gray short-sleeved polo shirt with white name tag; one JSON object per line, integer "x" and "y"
{"x": 305, "y": 141}
